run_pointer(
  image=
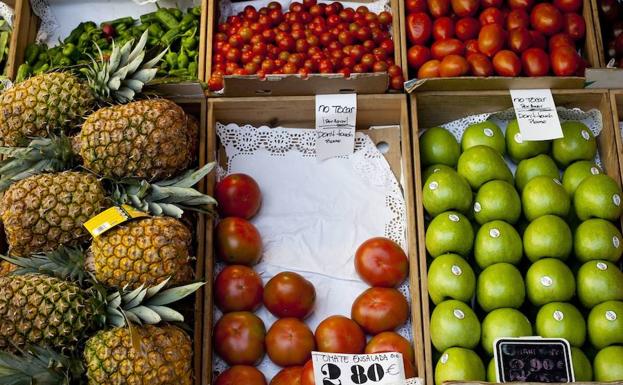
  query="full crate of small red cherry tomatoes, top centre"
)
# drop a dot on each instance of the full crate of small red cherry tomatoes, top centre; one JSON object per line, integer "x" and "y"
{"x": 285, "y": 47}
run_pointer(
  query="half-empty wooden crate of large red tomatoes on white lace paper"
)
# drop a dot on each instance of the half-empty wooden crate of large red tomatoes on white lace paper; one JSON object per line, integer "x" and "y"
{"x": 310, "y": 255}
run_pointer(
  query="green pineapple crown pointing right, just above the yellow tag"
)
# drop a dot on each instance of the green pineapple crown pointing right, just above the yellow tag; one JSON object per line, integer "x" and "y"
{"x": 169, "y": 197}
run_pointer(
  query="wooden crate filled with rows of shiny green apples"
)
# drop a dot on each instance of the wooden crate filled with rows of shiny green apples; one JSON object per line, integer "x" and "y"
{"x": 518, "y": 238}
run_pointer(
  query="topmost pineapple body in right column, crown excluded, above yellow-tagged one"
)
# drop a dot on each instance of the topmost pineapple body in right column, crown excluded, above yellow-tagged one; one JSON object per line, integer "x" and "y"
{"x": 148, "y": 139}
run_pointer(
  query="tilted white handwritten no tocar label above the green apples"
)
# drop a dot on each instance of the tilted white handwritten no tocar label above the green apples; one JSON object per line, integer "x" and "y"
{"x": 536, "y": 114}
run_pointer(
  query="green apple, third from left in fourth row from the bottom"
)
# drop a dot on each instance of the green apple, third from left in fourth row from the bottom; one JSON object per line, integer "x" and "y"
{"x": 547, "y": 236}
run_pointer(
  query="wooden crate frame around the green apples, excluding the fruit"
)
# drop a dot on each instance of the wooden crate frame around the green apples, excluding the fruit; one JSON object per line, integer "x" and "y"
{"x": 425, "y": 109}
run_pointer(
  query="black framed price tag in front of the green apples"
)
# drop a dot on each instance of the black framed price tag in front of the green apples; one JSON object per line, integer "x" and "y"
{"x": 533, "y": 359}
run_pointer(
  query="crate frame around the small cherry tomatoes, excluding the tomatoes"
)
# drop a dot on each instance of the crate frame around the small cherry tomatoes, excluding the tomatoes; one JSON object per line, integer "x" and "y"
{"x": 284, "y": 85}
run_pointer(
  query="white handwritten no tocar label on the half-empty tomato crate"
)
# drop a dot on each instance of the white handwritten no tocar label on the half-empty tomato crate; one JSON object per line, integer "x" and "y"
{"x": 336, "y": 117}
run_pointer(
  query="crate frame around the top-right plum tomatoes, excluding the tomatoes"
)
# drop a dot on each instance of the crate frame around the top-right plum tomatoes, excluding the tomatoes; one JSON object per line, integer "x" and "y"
{"x": 498, "y": 82}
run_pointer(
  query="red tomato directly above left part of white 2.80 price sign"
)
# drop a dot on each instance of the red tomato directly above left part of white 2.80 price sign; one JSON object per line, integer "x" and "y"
{"x": 338, "y": 334}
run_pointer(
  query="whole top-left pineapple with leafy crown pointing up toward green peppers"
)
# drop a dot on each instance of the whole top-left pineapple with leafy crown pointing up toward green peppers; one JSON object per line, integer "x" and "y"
{"x": 59, "y": 100}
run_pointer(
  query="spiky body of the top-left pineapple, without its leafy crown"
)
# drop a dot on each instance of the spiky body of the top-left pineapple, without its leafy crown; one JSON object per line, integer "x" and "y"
{"x": 41, "y": 104}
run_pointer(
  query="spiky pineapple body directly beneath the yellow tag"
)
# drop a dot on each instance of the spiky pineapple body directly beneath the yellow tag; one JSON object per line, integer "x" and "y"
{"x": 144, "y": 251}
